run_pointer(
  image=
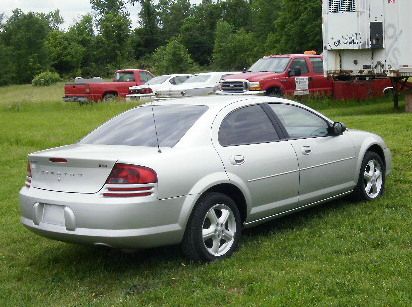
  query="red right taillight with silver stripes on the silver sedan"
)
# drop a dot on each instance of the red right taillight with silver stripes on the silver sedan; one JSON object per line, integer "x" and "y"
{"x": 128, "y": 180}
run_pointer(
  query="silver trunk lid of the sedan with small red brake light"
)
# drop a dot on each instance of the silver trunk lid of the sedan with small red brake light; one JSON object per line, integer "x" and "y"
{"x": 80, "y": 168}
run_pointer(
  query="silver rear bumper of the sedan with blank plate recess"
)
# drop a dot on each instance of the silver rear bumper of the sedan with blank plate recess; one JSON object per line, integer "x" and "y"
{"x": 93, "y": 219}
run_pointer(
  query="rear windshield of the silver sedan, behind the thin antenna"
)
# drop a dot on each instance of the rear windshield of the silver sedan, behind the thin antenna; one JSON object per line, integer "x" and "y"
{"x": 137, "y": 127}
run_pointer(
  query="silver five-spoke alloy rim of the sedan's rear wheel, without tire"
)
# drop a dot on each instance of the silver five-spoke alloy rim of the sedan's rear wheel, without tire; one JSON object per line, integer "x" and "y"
{"x": 219, "y": 229}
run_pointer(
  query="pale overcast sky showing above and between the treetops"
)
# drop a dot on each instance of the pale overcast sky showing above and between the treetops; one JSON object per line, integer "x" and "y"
{"x": 70, "y": 10}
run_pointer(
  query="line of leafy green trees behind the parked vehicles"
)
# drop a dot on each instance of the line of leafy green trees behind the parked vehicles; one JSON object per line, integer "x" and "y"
{"x": 172, "y": 36}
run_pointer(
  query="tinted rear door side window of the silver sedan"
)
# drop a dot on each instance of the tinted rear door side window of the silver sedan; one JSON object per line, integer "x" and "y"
{"x": 248, "y": 125}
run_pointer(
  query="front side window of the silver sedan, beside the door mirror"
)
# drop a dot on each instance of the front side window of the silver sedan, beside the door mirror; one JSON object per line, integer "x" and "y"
{"x": 300, "y": 123}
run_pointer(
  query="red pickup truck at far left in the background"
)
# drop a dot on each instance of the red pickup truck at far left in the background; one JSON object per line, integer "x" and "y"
{"x": 85, "y": 90}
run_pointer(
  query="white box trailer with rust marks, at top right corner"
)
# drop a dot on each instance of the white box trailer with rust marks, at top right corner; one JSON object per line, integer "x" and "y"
{"x": 369, "y": 38}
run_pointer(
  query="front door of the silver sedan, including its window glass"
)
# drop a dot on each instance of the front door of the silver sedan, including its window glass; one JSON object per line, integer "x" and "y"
{"x": 326, "y": 162}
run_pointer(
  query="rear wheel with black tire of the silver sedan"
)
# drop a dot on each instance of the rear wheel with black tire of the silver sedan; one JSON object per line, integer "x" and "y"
{"x": 213, "y": 230}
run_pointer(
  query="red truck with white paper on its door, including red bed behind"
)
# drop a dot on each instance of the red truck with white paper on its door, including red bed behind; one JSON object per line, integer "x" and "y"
{"x": 298, "y": 74}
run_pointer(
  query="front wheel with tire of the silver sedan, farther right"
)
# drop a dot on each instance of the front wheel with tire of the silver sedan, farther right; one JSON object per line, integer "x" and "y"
{"x": 371, "y": 181}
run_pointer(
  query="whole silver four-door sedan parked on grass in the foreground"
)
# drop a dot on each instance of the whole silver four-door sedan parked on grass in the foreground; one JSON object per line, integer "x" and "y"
{"x": 195, "y": 171}
